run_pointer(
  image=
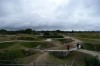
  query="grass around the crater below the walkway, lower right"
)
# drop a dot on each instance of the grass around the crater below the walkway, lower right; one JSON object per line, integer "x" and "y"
{"x": 76, "y": 56}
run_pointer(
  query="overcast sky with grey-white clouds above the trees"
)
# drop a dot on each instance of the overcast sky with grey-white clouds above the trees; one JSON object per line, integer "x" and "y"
{"x": 50, "y": 14}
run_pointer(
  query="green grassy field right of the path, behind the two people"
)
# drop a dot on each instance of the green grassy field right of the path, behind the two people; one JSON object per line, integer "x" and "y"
{"x": 91, "y": 41}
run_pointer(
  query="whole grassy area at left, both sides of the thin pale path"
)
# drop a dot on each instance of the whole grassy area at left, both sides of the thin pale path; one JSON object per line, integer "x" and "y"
{"x": 18, "y": 50}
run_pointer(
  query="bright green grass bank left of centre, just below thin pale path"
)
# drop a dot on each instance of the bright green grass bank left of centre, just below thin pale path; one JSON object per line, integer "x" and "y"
{"x": 35, "y": 44}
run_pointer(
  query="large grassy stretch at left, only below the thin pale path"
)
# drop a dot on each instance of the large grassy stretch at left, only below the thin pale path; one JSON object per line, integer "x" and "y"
{"x": 21, "y": 50}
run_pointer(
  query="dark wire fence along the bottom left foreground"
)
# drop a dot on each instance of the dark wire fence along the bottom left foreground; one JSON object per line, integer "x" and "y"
{"x": 12, "y": 63}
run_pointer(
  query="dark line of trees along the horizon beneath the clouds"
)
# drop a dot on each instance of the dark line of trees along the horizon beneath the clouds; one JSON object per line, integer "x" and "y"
{"x": 29, "y": 31}
